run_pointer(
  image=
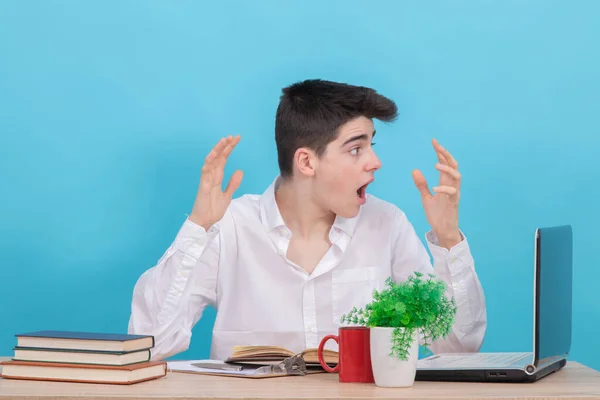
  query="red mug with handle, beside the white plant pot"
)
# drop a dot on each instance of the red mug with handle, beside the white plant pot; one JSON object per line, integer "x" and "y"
{"x": 354, "y": 354}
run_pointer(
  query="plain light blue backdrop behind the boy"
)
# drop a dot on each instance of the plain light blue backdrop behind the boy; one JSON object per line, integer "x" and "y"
{"x": 108, "y": 108}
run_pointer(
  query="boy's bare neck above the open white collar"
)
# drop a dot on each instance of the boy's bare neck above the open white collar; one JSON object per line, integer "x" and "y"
{"x": 300, "y": 212}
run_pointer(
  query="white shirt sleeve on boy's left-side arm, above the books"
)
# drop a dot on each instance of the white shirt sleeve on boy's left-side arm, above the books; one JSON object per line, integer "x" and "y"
{"x": 169, "y": 298}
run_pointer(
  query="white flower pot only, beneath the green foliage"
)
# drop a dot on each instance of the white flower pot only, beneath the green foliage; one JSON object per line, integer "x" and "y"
{"x": 390, "y": 371}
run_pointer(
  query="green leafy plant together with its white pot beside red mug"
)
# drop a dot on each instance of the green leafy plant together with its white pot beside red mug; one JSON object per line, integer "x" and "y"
{"x": 397, "y": 315}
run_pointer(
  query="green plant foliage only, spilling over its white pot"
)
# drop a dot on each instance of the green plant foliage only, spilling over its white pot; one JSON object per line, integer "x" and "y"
{"x": 415, "y": 304}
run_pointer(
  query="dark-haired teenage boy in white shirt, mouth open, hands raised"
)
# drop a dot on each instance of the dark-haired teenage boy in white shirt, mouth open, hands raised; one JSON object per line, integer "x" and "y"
{"x": 282, "y": 267}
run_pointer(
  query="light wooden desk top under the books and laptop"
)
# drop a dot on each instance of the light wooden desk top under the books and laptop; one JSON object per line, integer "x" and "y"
{"x": 575, "y": 381}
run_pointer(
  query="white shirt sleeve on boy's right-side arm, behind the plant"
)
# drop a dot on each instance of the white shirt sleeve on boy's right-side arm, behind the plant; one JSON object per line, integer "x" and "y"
{"x": 456, "y": 267}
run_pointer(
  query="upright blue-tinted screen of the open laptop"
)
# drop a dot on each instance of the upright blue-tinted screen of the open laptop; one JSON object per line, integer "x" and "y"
{"x": 553, "y": 303}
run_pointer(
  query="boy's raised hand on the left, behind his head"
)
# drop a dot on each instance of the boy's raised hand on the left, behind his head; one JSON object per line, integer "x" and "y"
{"x": 211, "y": 201}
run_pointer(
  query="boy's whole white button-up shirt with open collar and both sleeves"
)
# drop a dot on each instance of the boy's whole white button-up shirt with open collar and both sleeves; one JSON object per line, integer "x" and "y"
{"x": 240, "y": 267}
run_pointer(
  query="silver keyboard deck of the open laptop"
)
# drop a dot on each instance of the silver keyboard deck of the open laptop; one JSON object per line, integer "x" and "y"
{"x": 474, "y": 360}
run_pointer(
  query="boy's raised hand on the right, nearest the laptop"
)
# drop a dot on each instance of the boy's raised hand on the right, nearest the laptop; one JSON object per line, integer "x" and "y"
{"x": 441, "y": 209}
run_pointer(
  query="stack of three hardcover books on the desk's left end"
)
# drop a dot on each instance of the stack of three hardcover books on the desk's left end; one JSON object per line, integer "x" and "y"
{"x": 83, "y": 357}
